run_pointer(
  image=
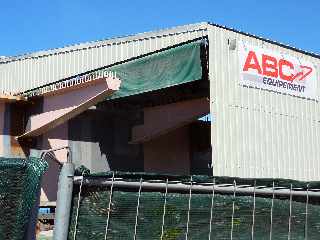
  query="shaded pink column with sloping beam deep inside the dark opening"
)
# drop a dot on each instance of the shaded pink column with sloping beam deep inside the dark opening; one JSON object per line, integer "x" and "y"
{"x": 165, "y": 135}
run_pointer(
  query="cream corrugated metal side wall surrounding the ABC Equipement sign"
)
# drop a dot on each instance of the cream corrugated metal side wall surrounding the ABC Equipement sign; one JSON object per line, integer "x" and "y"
{"x": 259, "y": 133}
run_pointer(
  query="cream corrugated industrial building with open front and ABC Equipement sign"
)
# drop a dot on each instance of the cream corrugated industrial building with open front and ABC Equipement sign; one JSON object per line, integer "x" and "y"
{"x": 194, "y": 99}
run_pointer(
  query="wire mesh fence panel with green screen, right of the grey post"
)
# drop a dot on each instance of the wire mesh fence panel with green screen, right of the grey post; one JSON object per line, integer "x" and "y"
{"x": 146, "y": 206}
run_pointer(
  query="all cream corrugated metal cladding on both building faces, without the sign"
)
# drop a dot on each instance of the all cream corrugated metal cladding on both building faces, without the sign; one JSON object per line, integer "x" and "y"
{"x": 255, "y": 133}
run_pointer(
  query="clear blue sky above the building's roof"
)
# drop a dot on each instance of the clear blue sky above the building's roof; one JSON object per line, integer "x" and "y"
{"x": 32, "y": 25}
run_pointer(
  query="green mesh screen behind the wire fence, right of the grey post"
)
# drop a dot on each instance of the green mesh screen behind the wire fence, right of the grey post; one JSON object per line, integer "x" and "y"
{"x": 94, "y": 202}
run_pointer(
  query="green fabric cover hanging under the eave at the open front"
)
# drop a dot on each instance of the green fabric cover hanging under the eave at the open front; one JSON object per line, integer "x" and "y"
{"x": 160, "y": 70}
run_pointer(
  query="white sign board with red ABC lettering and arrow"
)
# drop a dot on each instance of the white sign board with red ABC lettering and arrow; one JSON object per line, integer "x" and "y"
{"x": 267, "y": 69}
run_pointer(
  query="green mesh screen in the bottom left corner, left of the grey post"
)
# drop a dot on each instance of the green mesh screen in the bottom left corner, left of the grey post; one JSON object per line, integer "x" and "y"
{"x": 19, "y": 186}
